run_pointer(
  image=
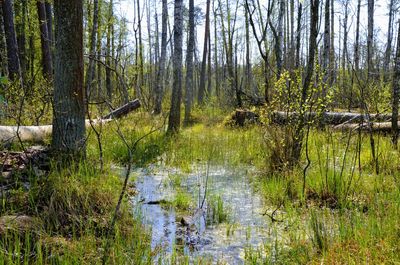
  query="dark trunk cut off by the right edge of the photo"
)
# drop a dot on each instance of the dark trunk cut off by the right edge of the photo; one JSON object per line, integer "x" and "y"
{"x": 396, "y": 92}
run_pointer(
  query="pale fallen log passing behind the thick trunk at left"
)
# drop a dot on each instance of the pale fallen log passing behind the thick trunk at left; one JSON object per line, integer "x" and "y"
{"x": 39, "y": 133}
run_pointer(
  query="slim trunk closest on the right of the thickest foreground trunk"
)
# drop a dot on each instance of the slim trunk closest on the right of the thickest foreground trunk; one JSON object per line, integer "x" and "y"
{"x": 90, "y": 73}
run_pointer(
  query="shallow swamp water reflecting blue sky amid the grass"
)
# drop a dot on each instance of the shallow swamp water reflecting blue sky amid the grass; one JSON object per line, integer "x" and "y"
{"x": 229, "y": 196}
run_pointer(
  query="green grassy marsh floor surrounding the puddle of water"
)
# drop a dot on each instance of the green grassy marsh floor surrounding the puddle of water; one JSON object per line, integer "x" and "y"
{"x": 348, "y": 212}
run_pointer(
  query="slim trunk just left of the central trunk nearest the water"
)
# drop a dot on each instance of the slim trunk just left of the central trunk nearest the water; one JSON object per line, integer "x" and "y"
{"x": 159, "y": 89}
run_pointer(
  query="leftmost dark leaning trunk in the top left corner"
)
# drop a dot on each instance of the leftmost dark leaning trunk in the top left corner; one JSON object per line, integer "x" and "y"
{"x": 14, "y": 68}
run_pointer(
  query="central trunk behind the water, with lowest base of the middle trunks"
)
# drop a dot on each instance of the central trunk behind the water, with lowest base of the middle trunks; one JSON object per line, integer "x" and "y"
{"x": 175, "y": 112}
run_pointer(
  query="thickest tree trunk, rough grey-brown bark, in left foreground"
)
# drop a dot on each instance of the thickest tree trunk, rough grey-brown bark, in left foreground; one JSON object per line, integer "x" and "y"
{"x": 69, "y": 108}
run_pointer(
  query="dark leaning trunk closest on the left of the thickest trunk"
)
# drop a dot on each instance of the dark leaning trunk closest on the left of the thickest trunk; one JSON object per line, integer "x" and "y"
{"x": 47, "y": 63}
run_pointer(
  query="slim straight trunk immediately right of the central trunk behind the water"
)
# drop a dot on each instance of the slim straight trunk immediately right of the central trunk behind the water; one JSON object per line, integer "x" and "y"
{"x": 189, "y": 64}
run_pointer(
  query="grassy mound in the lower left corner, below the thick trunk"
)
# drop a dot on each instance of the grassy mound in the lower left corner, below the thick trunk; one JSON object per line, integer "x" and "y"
{"x": 71, "y": 212}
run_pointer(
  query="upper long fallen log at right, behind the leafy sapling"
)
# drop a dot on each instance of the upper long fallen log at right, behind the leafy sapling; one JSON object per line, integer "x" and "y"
{"x": 330, "y": 118}
